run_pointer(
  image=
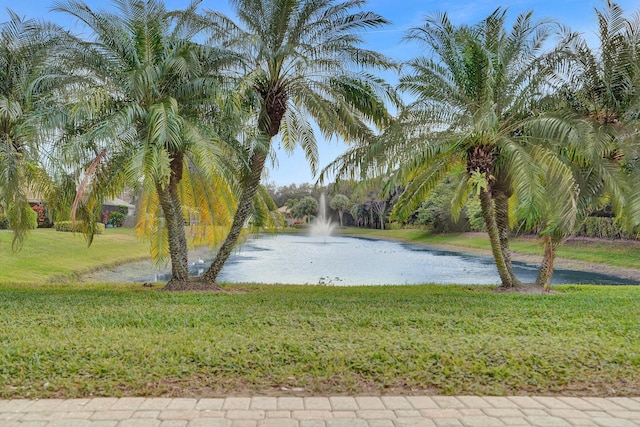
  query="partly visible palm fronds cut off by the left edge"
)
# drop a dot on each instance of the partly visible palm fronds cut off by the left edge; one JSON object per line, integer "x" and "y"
{"x": 23, "y": 76}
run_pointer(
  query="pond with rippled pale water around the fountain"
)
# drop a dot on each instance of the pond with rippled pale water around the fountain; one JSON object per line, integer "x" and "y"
{"x": 346, "y": 261}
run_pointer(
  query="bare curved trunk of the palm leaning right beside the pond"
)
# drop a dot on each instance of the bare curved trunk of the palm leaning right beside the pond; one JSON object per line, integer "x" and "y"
{"x": 245, "y": 203}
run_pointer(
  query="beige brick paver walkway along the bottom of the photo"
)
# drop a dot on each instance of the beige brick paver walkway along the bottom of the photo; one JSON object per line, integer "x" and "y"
{"x": 385, "y": 411}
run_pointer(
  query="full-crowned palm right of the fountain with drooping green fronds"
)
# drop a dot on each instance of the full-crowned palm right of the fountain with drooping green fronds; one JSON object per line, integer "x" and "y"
{"x": 475, "y": 96}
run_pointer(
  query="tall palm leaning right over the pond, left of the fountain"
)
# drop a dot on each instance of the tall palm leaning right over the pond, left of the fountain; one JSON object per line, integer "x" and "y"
{"x": 302, "y": 62}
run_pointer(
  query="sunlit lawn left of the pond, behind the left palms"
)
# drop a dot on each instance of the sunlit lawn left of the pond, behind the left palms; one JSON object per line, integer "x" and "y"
{"x": 49, "y": 255}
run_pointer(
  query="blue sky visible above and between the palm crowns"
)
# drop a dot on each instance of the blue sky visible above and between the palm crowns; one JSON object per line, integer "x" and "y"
{"x": 403, "y": 14}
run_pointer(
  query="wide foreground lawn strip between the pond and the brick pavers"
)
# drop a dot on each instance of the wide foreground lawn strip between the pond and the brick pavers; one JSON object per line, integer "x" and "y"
{"x": 113, "y": 340}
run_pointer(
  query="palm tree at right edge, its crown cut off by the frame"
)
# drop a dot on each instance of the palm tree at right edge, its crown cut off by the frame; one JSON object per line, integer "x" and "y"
{"x": 603, "y": 89}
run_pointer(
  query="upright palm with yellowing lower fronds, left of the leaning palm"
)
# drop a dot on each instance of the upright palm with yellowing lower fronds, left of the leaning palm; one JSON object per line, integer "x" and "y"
{"x": 147, "y": 111}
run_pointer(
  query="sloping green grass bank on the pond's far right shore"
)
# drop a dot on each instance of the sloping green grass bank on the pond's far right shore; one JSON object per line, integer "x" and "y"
{"x": 617, "y": 253}
